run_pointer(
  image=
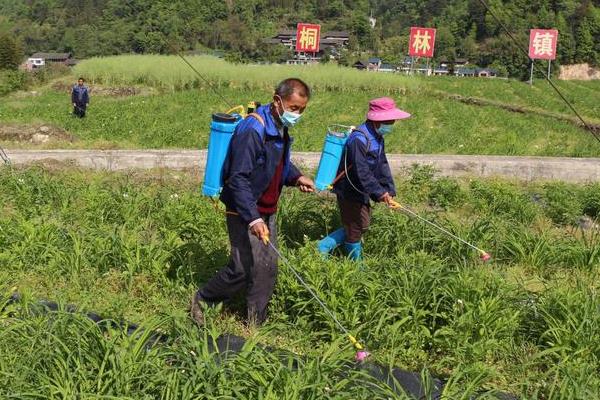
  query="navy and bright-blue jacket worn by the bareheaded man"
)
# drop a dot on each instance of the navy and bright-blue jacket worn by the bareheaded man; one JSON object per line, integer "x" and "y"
{"x": 253, "y": 156}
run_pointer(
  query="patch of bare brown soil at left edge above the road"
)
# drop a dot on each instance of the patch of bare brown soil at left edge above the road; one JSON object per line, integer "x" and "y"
{"x": 34, "y": 134}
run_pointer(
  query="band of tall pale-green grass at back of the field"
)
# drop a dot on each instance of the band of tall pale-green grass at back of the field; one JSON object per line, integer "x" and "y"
{"x": 171, "y": 73}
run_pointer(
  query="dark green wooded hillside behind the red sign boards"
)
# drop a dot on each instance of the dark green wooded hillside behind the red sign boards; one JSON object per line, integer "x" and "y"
{"x": 465, "y": 28}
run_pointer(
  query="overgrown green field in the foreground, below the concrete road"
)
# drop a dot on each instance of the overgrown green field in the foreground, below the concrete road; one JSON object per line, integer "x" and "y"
{"x": 135, "y": 246}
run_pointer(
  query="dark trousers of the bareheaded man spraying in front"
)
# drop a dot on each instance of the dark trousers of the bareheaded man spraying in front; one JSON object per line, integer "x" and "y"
{"x": 252, "y": 266}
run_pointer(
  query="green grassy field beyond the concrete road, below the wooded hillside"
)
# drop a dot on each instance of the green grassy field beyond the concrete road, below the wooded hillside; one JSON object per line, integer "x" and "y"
{"x": 176, "y": 113}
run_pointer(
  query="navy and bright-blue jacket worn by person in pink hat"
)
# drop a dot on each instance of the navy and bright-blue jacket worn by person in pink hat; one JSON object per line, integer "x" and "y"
{"x": 367, "y": 167}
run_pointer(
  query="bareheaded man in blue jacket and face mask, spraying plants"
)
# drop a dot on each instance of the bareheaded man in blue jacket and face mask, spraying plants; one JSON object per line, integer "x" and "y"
{"x": 256, "y": 168}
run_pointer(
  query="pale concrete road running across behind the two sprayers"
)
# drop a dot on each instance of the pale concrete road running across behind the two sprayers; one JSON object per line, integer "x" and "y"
{"x": 523, "y": 168}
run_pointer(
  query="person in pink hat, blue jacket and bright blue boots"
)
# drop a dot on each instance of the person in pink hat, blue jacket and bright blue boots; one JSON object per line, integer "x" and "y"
{"x": 364, "y": 175}
